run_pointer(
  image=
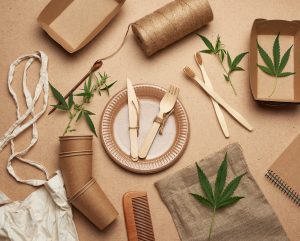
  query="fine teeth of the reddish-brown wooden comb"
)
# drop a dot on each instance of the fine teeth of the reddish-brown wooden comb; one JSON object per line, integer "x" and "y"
{"x": 142, "y": 219}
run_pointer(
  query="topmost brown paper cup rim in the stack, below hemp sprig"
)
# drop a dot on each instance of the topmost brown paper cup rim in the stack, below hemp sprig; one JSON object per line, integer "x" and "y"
{"x": 75, "y": 143}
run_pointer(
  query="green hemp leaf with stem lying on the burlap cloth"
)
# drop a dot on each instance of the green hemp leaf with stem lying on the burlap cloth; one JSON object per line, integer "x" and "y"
{"x": 221, "y": 197}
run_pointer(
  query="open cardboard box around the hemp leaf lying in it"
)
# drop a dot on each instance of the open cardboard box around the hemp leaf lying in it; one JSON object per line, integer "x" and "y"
{"x": 288, "y": 88}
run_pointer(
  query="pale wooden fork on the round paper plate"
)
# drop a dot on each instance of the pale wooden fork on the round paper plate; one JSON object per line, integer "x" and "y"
{"x": 167, "y": 103}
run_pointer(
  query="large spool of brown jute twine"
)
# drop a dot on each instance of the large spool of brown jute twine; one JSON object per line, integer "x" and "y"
{"x": 171, "y": 23}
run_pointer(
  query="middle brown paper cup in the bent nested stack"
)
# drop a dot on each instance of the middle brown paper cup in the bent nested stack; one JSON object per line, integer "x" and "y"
{"x": 76, "y": 168}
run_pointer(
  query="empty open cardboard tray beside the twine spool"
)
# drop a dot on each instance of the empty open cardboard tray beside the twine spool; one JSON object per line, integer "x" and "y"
{"x": 74, "y": 23}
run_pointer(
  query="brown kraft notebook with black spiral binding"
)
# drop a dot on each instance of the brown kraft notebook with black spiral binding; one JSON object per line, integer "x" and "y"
{"x": 284, "y": 173}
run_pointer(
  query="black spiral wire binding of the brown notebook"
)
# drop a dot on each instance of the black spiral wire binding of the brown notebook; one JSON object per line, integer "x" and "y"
{"x": 283, "y": 187}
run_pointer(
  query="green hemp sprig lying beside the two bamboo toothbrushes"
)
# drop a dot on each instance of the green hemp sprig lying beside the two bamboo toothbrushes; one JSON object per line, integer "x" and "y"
{"x": 220, "y": 52}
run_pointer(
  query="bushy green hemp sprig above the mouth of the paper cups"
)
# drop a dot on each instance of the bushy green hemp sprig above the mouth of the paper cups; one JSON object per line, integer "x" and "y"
{"x": 78, "y": 110}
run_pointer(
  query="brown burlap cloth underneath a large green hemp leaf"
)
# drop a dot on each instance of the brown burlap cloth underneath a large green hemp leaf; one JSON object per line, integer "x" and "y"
{"x": 250, "y": 219}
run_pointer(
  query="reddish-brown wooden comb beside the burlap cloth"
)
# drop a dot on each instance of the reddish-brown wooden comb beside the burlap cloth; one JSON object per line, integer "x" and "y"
{"x": 137, "y": 217}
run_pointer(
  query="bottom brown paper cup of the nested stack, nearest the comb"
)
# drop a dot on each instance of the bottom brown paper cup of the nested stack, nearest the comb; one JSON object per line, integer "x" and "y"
{"x": 94, "y": 204}
